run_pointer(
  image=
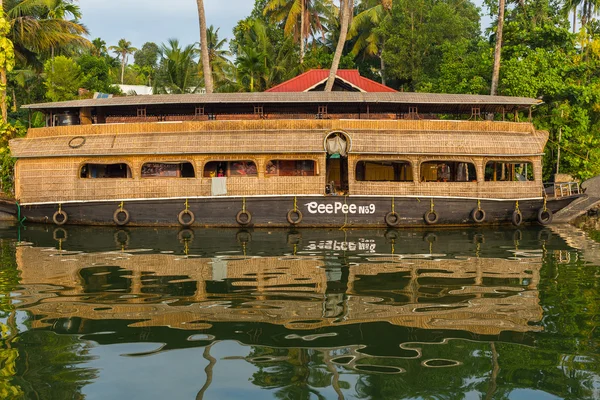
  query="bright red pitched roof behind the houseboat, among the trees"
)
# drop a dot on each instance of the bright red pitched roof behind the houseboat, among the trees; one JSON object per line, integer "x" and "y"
{"x": 314, "y": 77}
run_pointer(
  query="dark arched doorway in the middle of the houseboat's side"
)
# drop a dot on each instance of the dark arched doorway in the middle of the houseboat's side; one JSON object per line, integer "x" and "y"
{"x": 336, "y": 145}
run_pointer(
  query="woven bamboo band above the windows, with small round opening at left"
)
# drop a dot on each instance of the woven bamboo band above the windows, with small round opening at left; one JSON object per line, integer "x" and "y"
{"x": 296, "y": 141}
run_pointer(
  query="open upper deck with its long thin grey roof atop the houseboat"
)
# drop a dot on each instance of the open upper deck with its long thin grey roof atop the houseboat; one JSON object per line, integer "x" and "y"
{"x": 308, "y": 105}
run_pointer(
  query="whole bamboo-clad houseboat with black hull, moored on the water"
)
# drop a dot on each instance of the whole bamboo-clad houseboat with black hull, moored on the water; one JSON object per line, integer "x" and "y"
{"x": 314, "y": 159}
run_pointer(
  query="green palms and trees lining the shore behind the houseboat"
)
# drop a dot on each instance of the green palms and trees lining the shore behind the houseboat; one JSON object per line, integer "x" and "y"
{"x": 549, "y": 50}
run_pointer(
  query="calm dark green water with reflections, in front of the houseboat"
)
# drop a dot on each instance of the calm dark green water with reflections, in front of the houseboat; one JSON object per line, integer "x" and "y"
{"x": 102, "y": 313}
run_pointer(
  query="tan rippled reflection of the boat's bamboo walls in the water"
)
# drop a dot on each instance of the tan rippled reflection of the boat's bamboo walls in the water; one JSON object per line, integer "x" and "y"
{"x": 43, "y": 273}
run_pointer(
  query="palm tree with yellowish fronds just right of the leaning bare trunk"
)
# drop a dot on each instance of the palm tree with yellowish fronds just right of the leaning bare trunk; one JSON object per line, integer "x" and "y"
{"x": 364, "y": 27}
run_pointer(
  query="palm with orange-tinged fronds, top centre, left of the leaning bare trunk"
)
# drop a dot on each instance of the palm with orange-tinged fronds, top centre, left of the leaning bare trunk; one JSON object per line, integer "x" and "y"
{"x": 302, "y": 18}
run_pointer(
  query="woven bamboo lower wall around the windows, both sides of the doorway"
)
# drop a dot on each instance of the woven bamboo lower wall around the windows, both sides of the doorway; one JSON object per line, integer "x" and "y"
{"x": 57, "y": 180}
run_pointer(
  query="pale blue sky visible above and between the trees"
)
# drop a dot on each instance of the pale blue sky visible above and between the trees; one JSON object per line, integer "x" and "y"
{"x": 141, "y": 21}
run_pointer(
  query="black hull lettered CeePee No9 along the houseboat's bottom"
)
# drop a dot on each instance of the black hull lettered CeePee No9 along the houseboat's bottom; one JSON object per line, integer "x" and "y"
{"x": 317, "y": 211}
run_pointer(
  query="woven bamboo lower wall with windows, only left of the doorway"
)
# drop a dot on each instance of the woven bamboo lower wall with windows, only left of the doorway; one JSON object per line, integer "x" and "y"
{"x": 57, "y": 180}
